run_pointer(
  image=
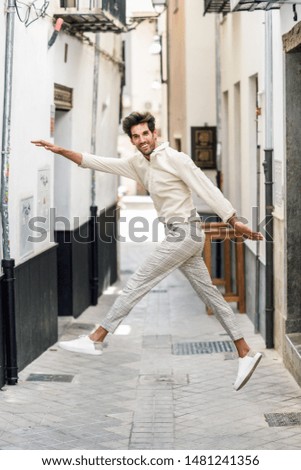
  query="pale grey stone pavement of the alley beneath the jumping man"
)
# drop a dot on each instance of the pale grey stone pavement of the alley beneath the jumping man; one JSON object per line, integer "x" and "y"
{"x": 152, "y": 388}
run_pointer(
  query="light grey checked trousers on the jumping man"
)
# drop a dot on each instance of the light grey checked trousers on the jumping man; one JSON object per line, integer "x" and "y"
{"x": 182, "y": 248}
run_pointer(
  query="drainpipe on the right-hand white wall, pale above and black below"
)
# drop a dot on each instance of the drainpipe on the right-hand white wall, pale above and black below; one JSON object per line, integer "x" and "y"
{"x": 268, "y": 170}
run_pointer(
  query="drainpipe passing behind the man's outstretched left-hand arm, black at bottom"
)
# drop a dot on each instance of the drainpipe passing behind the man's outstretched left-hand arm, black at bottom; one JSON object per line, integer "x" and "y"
{"x": 94, "y": 279}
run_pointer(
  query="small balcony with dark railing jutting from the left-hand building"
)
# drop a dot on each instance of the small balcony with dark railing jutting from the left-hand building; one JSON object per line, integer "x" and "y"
{"x": 93, "y": 15}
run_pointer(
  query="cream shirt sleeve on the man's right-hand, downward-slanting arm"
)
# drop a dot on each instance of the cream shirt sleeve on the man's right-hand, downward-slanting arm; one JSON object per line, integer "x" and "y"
{"x": 198, "y": 182}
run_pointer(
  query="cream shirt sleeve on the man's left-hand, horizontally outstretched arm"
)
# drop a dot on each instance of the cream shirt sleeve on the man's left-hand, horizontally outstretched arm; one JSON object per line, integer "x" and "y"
{"x": 116, "y": 166}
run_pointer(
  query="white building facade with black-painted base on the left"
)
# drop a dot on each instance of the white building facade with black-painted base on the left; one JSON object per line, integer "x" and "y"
{"x": 66, "y": 88}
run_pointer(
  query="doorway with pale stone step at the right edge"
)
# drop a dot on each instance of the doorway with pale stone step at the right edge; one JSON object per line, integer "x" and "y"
{"x": 293, "y": 208}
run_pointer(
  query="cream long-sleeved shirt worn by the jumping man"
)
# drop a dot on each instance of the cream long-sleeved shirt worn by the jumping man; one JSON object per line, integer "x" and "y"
{"x": 169, "y": 177}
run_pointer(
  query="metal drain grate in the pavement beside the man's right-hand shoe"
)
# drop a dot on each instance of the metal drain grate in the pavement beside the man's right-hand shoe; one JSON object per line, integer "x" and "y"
{"x": 204, "y": 347}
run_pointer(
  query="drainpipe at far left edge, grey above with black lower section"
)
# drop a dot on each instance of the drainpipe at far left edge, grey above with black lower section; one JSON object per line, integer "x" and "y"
{"x": 8, "y": 263}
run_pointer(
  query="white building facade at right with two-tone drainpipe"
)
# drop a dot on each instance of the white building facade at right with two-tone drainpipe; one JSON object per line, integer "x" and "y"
{"x": 261, "y": 112}
